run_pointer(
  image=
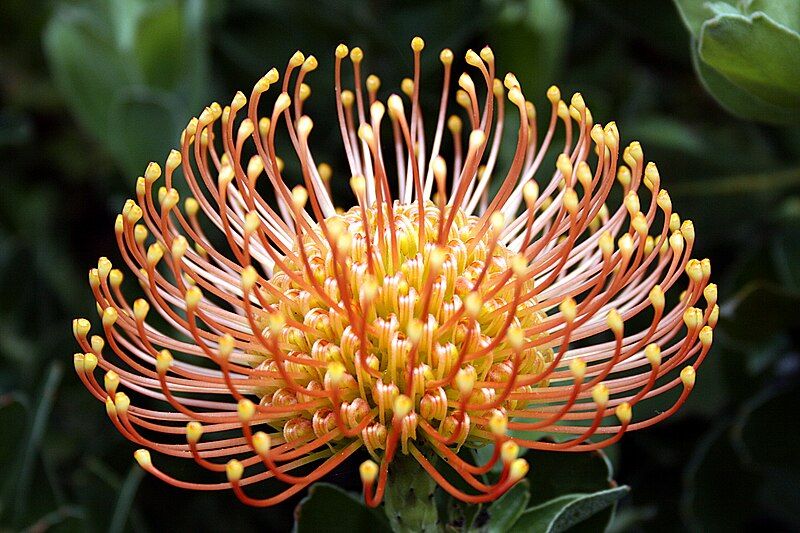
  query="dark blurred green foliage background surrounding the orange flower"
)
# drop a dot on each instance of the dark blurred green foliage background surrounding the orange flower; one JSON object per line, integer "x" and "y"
{"x": 91, "y": 90}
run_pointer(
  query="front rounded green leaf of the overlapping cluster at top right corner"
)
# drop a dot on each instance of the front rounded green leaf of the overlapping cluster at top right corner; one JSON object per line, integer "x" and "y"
{"x": 756, "y": 54}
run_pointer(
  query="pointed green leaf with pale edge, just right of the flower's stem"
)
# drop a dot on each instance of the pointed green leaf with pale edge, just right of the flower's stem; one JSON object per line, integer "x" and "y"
{"x": 567, "y": 511}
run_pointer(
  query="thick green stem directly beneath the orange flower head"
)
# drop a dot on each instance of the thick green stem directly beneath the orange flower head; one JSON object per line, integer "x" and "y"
{"x": 409, "y": 500}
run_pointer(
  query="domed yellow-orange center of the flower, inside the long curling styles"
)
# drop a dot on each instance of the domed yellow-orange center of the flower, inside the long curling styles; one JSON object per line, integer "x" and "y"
{"x": 405, "y": 312}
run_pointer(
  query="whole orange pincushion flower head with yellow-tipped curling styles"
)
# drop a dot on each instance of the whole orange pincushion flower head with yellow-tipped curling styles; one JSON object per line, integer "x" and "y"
{"x": 456, "y": 303}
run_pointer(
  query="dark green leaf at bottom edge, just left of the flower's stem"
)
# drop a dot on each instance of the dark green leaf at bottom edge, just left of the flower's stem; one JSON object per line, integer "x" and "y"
{"x": 331, "y": 509}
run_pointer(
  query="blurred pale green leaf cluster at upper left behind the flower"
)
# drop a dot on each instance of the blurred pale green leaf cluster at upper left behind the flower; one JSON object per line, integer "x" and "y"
{"x": 127, "y": 69}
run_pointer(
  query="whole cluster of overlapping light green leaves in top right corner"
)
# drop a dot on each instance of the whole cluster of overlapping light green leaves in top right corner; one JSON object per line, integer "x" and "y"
{"x": 747, "y": 54}
